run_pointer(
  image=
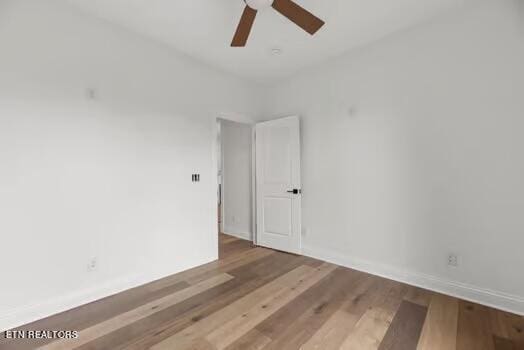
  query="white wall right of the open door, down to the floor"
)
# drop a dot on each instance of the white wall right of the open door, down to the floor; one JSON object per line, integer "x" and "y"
{"x": 413, "y": 149}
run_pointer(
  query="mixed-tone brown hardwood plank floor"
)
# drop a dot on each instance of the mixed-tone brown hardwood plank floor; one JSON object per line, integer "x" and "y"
{"x": 256, "y": 298}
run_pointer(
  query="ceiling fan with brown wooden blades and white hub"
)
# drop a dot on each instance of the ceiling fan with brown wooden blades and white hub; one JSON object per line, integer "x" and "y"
{"x": 300, "y": 16}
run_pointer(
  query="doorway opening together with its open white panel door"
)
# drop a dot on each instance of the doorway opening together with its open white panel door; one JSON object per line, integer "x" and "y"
{"x": 259, "y": 192}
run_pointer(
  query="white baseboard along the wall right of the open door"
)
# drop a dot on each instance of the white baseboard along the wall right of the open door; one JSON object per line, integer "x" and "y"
{"x": 491, "y": 298}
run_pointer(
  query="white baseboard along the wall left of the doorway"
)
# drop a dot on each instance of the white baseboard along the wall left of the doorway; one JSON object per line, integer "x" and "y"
{"x": 10, "y": 319}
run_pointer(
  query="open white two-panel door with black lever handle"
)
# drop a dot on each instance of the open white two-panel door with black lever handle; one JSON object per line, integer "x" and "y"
{"x": 278, "y": 186}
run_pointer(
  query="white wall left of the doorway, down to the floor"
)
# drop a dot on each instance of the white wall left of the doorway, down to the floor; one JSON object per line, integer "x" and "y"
{"x": 108, "y": 177}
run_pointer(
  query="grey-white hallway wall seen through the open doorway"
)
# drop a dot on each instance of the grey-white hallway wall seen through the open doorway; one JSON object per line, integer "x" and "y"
{"x": 236, "y": 157}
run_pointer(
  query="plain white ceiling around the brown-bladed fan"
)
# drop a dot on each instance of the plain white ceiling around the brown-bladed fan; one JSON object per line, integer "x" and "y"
{"x": 203, "y": 29}
